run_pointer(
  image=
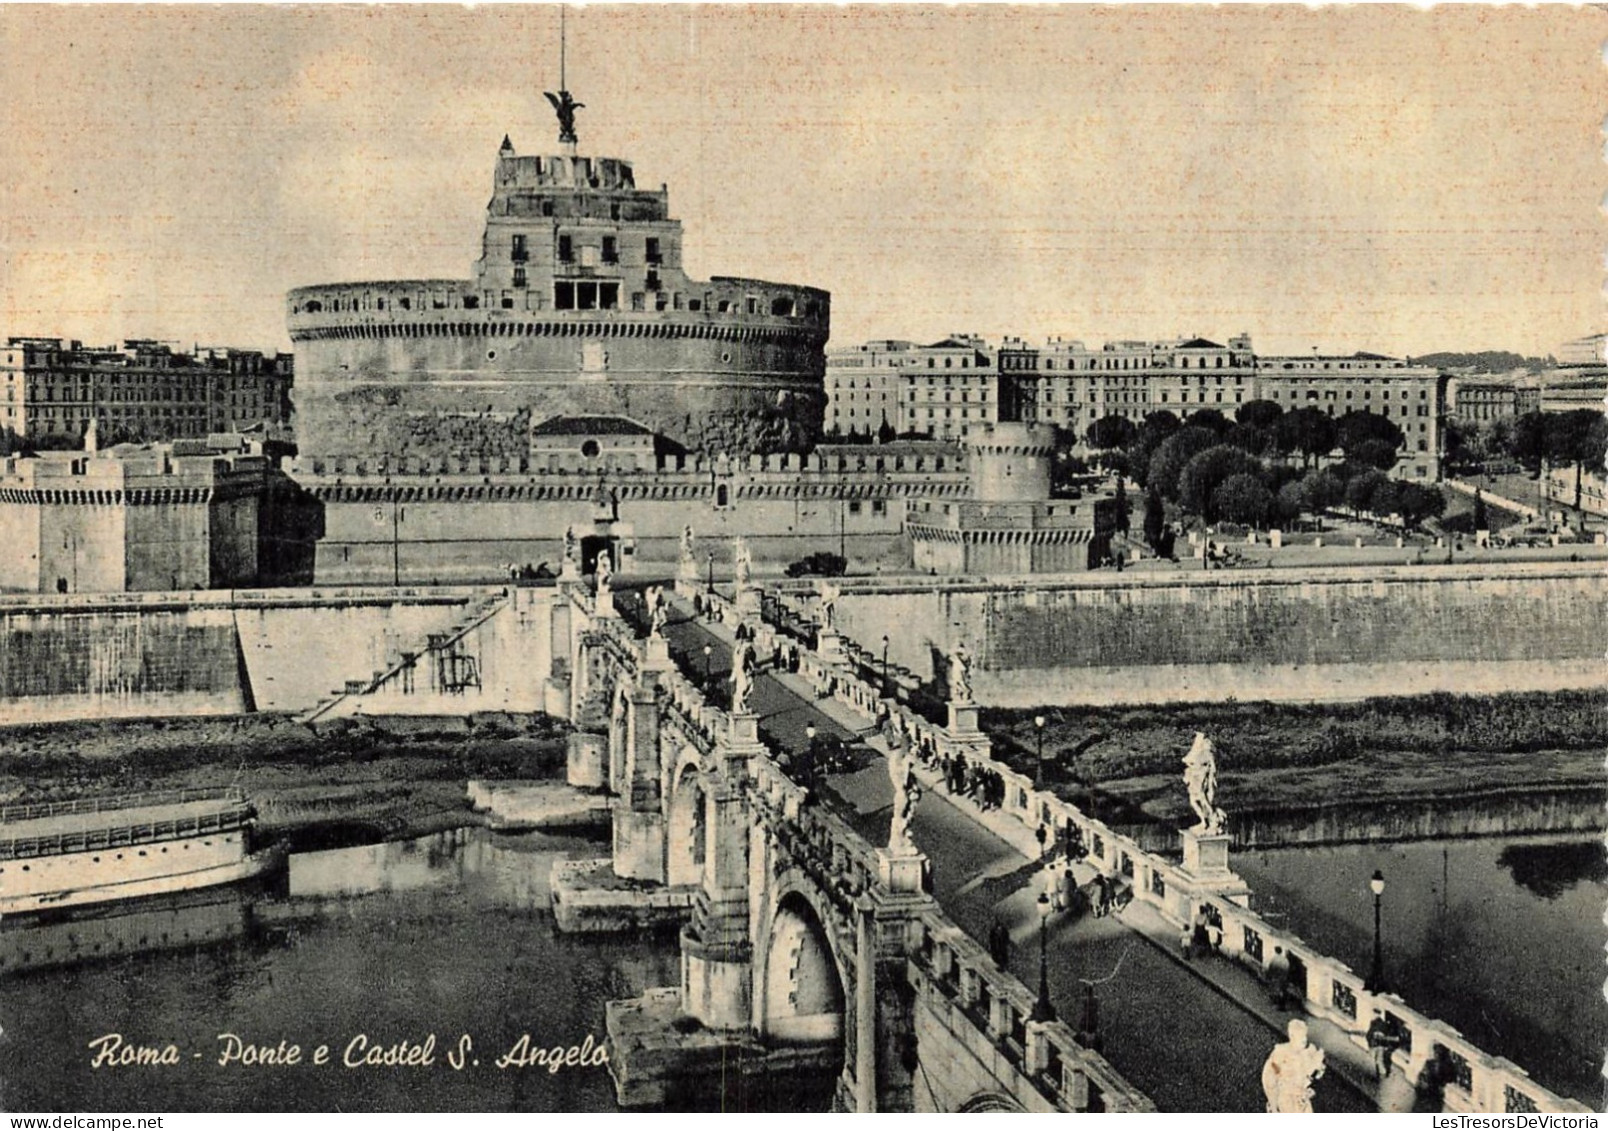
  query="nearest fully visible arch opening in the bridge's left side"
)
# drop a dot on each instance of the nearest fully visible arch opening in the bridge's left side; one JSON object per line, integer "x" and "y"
{"x": 802, "y": 977}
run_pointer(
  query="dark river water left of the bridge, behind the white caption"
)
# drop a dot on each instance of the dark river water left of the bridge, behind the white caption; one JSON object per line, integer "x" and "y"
{"x": 441, "y": 937}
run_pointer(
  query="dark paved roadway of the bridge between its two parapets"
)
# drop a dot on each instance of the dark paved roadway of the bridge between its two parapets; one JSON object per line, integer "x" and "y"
{"x": 1191, "y": 1042}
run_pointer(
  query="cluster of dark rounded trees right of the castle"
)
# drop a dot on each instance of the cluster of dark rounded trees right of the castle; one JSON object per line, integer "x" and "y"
{"x": 1258, "y": 469}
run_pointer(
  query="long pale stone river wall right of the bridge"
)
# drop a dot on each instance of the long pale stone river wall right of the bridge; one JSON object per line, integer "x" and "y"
{"x": 1305, "y": 636}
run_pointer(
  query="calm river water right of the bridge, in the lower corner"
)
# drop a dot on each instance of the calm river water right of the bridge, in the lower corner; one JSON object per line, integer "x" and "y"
{"x": 1499, "y": 937}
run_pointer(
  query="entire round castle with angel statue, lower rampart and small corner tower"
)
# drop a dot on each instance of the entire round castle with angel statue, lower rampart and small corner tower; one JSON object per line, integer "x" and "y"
{"x": 581, "y": 384}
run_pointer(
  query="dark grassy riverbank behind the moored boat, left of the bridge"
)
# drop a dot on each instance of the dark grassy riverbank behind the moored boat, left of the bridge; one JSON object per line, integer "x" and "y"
{"x": 353, "y": 779}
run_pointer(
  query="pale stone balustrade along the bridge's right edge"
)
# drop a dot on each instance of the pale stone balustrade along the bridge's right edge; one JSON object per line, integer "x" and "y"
{"x": 1327, "y": 989}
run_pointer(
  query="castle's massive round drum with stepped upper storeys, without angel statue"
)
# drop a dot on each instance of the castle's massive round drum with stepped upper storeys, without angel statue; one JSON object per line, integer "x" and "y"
{"x": 578, "y": 308}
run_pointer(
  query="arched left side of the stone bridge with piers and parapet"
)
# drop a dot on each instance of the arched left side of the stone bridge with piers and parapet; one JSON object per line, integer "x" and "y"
{"x": 805, "y": 945}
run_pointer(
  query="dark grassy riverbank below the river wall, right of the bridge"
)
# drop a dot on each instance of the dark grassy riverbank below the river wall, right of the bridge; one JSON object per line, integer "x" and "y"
{"x": 1292, "y": 757}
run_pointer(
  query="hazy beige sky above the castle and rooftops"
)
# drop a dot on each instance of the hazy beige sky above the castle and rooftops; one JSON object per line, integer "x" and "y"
{"x": 1343, "y": 178}
